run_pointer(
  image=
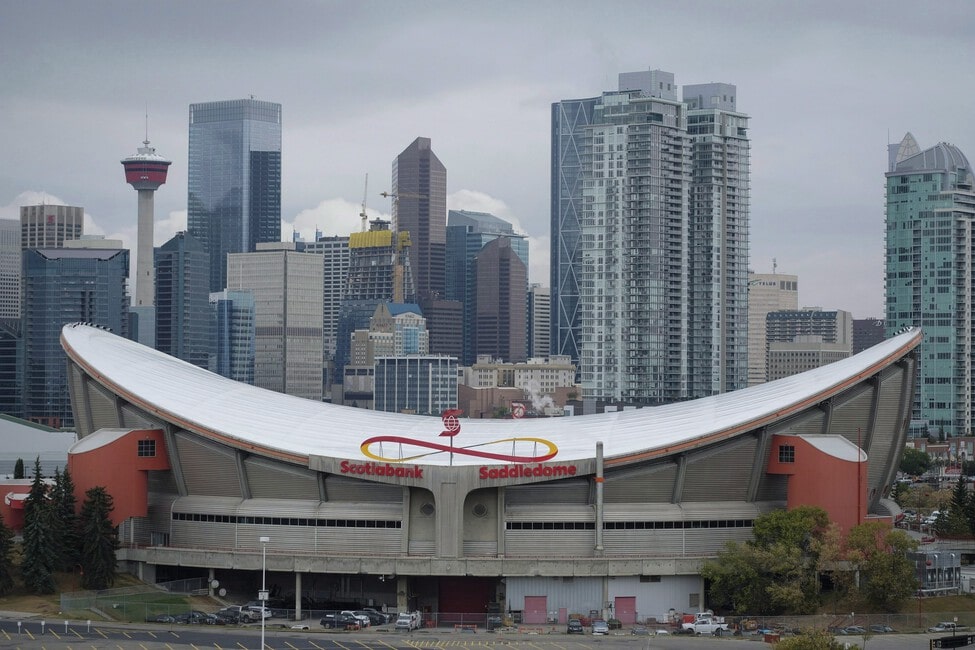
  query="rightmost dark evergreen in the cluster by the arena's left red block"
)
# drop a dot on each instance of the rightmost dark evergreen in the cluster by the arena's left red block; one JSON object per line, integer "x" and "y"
{"x": 100, "y": 540}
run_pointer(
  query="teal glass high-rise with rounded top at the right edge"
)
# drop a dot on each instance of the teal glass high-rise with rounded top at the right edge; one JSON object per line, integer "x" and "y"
{"x": 929, "y": 271}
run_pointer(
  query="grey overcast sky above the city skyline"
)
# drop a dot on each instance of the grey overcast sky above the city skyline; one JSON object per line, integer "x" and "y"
{"x": 827, "y": 85}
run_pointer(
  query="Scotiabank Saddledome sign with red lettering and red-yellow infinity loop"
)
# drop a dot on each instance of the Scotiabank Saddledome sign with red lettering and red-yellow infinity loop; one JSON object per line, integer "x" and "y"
{"x": 527, "y": 455}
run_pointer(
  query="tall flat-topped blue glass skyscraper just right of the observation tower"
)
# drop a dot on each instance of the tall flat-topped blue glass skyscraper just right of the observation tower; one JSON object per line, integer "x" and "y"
{"x": 234, "y": 179}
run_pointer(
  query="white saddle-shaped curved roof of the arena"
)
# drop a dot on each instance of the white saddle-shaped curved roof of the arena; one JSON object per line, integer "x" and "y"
{"x": 293, "y": 428}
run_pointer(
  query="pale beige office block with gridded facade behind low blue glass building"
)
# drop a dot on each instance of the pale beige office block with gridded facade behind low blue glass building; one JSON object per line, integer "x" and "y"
{"x": 287, "y": 289}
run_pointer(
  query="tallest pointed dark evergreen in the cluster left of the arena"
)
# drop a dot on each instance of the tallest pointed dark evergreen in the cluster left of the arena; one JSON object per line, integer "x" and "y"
{"x": 40, "y": 560}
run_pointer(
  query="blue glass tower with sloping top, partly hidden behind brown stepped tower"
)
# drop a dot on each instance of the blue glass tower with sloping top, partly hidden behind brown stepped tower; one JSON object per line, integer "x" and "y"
{"x": 467, "y": 235}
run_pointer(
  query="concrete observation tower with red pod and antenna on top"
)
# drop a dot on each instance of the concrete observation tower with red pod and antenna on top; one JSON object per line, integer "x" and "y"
{"x": 145, "y": 171}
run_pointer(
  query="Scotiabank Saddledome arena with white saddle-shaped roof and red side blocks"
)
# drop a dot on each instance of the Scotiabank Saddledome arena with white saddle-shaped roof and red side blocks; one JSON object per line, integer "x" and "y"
{"x": 612, "y": 513}
